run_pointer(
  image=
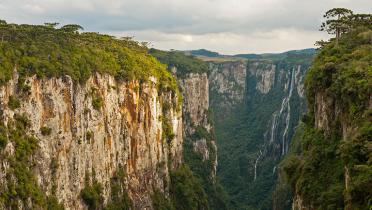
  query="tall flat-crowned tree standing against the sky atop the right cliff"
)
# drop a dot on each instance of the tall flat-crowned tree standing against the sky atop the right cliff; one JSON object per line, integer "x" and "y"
{"x": 336, "y": 21}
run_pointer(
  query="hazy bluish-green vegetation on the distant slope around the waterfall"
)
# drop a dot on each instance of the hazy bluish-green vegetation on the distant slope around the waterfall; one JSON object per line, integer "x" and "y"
{"x": 245, "y": 130}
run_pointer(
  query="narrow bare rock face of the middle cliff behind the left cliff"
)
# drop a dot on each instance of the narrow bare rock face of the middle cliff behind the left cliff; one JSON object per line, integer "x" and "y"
{"x": 195, "y": 92}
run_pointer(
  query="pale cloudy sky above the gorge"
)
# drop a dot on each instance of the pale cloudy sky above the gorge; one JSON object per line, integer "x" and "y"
{"x": 224, "y": 26}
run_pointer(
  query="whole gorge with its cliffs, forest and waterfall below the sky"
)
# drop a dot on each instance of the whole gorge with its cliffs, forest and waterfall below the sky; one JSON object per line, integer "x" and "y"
{"x": 90, "y": 121}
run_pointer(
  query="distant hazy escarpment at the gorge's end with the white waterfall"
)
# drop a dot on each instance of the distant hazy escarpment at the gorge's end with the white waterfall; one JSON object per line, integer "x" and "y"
{"x": 256, "y": 104}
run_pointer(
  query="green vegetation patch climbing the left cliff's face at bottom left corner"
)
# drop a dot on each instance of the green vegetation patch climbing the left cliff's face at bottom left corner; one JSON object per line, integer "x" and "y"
{"x": 21, "y": 184}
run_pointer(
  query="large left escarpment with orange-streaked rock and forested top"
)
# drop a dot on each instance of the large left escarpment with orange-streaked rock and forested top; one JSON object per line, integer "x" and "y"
{"x": 87, "y": 121}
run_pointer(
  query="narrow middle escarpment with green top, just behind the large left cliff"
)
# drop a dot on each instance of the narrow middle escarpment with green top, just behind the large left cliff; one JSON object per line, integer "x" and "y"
{"x": 200, "y": 150}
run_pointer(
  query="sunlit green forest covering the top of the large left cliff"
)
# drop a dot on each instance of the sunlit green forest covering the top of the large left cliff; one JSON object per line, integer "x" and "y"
{"x": 48, "y": 51}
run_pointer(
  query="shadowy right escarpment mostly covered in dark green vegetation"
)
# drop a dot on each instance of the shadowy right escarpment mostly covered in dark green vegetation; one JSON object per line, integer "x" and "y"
{"x": 329, "y": 165}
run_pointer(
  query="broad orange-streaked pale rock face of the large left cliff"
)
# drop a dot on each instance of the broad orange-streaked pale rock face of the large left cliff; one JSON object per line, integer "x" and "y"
{"x": 123, "y": 131}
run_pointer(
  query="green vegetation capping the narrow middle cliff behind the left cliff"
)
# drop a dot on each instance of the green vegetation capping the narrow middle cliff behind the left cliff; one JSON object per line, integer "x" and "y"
{"x": 184, "y": 63}
